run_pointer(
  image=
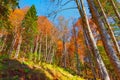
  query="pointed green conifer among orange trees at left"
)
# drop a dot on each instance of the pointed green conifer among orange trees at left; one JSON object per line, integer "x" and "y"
{"x": 29, "y": 25}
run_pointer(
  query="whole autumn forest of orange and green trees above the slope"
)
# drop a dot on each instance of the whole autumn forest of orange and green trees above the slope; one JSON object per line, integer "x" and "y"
{"x": 90, "y": 49}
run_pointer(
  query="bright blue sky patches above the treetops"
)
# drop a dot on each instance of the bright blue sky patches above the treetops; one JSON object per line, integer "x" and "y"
{"x": 45, "y": 6}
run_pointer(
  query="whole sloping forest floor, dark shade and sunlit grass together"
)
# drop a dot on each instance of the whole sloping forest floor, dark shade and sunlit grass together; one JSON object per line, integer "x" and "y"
{"x": 18, "y": 69}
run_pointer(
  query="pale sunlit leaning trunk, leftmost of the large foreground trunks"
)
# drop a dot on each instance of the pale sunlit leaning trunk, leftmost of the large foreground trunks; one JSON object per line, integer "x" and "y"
{"x": 101, "y": 65}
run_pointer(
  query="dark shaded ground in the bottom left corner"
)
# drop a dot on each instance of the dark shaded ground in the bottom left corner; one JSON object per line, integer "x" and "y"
{"x": 15, "y": 70}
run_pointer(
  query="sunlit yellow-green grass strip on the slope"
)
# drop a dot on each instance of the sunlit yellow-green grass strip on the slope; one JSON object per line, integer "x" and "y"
{"x": 54, "y": 72}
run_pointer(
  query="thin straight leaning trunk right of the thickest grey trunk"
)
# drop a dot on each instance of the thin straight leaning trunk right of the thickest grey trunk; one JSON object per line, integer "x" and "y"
{"x": 109, "y": 28}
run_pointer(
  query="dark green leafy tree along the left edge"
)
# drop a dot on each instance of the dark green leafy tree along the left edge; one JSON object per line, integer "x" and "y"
{"x": 5, "y": 8}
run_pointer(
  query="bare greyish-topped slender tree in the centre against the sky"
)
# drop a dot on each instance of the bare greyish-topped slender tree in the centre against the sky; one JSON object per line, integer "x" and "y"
{"x": 64, "y": 32}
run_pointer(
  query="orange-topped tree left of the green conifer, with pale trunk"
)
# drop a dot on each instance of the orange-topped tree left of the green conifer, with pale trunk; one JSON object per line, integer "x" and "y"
{"x": 16, "y": 18}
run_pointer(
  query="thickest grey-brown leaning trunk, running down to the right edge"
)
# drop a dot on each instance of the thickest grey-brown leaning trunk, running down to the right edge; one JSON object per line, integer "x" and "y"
{"x": 107, "y": 45}
